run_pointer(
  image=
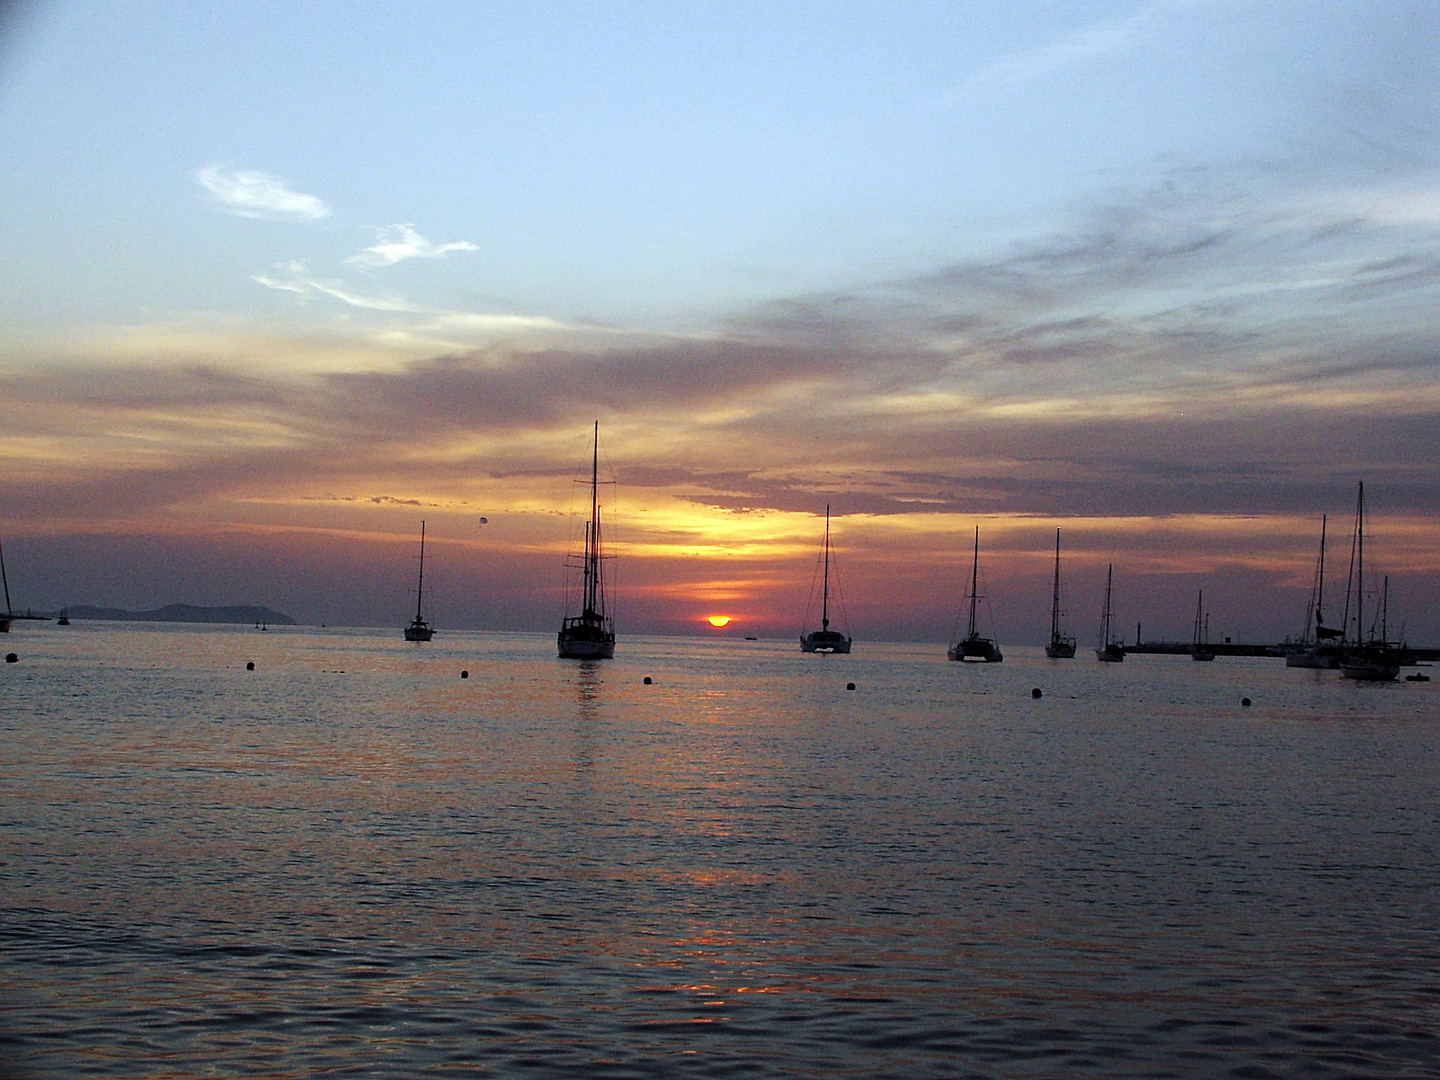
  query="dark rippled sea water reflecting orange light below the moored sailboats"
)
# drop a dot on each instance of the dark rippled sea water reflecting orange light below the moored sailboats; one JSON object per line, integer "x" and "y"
{"x": 352, "y": 863}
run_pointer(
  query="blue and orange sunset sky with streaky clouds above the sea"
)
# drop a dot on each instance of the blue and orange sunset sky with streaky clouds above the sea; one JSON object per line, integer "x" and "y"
{"x": 283, "y": 280}
